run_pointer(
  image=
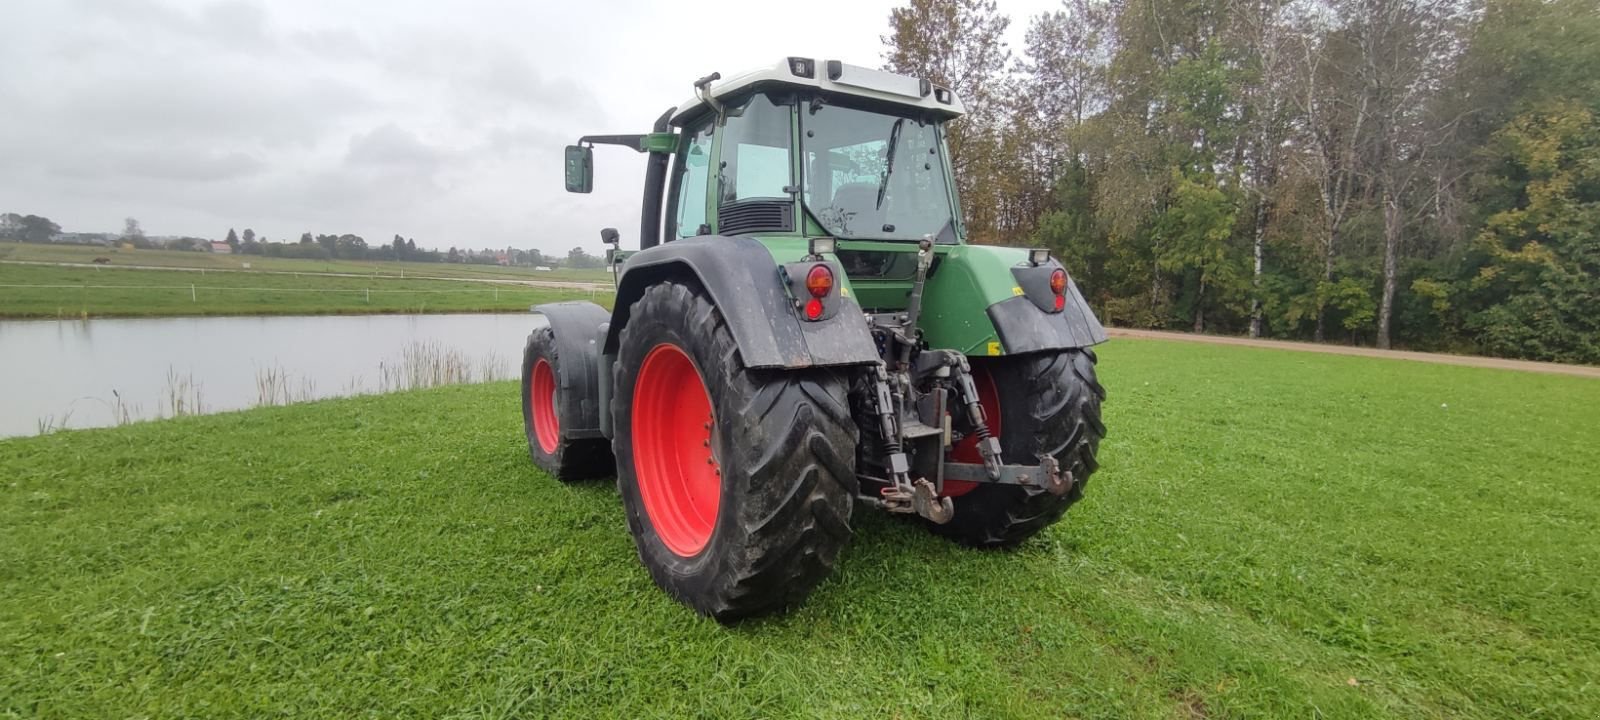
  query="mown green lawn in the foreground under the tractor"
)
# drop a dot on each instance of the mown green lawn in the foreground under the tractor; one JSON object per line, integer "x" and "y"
{"x": 1273, "y": 535}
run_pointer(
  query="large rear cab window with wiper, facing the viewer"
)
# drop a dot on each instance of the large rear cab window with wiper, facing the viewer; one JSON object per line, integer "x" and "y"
{"x": 878, "y": 177}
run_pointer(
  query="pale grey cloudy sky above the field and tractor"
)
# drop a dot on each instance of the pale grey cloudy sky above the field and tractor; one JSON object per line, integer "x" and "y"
{"x": 439, "y": 121}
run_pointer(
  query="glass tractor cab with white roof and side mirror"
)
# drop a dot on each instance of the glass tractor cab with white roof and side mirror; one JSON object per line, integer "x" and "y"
{"x": 801, "y": 150}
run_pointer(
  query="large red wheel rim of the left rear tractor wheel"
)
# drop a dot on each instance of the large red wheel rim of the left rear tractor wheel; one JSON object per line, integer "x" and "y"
{"x": 674, "y": 460}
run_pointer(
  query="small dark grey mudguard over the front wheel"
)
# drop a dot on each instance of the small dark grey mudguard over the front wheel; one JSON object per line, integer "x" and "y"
{"x": 577, "y": 329}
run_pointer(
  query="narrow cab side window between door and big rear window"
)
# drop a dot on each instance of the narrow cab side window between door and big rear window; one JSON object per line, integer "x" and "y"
{"x": 756, "y": 153}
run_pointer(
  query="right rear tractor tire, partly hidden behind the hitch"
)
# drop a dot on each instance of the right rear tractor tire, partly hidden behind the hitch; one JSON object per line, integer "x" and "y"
{"x": 1049, "y": 404}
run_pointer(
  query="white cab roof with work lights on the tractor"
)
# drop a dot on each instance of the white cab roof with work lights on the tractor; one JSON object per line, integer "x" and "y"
{"x": 834, "y": 78}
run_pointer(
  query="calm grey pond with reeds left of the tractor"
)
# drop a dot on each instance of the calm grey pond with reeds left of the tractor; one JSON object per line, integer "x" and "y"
{"x": 95, "y": 374}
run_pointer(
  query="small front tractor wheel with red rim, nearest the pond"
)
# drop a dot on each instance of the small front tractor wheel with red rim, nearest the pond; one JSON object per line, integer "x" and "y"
{"x": 543, "y": 399}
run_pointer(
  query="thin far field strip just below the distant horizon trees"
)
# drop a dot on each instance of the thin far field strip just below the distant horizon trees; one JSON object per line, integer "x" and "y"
{"x": 174, "y": 258}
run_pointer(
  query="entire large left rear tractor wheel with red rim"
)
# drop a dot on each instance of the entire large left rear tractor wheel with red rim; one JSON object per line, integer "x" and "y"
{"x": 737, "y": 484}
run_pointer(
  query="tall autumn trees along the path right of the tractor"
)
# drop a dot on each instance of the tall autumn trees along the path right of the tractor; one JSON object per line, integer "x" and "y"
{"x": 1418, "y": 174}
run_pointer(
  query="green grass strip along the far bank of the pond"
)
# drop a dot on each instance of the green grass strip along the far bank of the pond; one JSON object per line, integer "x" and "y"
{"x": 86, "y": 292}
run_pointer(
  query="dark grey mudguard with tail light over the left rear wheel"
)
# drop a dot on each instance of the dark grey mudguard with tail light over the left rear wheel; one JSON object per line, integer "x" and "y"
{"x": 745, "y": 284}
